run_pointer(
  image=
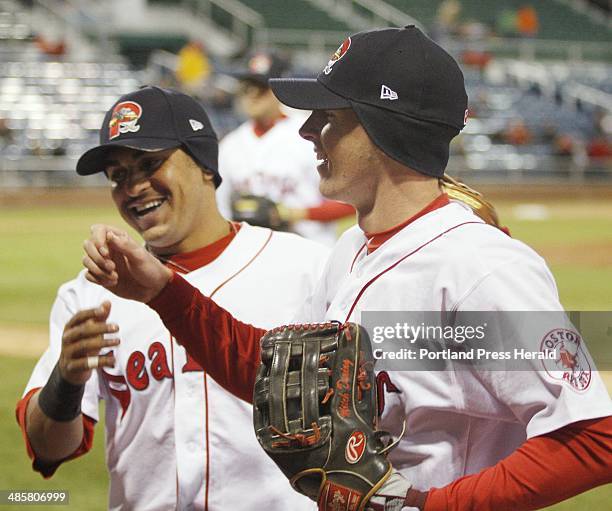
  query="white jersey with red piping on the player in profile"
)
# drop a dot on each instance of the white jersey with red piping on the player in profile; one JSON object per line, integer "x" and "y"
{"x": 457, "y": 422}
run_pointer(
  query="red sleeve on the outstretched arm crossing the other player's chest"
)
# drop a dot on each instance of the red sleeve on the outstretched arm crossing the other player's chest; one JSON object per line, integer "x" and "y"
{"x": 227, "y": 349}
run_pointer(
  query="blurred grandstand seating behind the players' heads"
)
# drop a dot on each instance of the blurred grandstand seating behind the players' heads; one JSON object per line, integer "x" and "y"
{"x": 541, "y": 105}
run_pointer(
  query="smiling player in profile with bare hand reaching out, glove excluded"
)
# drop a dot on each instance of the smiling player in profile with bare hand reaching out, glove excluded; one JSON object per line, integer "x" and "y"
{"x": 384, "y": 110}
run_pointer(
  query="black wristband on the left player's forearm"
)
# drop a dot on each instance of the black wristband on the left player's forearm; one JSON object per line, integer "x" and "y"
{"x": 60, "y": 400}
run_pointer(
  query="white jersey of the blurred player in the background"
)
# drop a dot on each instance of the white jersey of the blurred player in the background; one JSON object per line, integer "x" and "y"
{"x": 279, "y": 165}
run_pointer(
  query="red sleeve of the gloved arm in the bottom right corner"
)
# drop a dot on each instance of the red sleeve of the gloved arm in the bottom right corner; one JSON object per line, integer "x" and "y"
{"x": 544, "y": 470}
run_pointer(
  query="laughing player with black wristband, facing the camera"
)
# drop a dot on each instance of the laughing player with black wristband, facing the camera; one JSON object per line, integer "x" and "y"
{"x": 174, "y": 438}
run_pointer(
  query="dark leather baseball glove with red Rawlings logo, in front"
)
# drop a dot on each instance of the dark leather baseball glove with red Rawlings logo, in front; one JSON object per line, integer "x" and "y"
{"x": 315, "y": 413}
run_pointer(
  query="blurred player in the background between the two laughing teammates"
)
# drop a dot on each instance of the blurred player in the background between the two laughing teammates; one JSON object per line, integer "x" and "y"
{"x": 264, "y": 157}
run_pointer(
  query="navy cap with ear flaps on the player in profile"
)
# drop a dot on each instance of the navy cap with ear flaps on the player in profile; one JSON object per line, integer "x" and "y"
{"x": 407, "y": 92}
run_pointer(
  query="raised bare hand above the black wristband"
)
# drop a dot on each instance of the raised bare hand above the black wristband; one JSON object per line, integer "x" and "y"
{"x": 82, "y": 340}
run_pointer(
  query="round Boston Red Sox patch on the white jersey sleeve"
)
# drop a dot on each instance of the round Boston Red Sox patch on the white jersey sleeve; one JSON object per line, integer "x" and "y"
{"x": 570, "y": 363}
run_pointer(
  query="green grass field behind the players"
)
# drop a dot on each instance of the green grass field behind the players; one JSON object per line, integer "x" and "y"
{"x": 41, "y": 248}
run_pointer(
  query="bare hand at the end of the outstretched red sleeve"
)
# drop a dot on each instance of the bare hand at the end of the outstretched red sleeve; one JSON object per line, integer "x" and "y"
{"x": 116, "y": 262}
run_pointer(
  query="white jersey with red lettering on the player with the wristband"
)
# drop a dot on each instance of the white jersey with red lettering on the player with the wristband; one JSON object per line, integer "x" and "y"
{"x": 174, "y": 438}
